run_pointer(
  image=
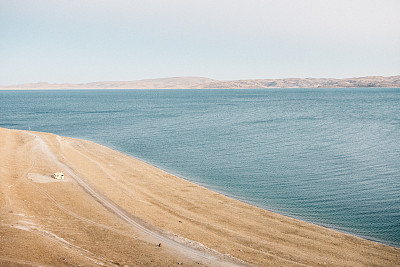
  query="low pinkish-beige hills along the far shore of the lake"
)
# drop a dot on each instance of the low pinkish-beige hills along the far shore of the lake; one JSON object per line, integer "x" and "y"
{"x": 207, "y": 83}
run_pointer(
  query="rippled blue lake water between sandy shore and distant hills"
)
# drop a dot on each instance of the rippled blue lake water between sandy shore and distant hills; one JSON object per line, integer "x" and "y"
{"x": 327, "y": 156}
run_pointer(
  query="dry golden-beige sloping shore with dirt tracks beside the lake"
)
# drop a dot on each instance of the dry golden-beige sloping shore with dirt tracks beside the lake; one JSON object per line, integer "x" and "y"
{"x": 112, "y": 210}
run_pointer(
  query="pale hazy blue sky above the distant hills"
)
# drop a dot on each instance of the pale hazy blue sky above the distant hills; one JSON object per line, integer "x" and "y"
{"x": 79, "y": 41}
